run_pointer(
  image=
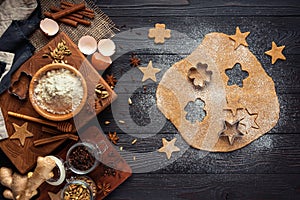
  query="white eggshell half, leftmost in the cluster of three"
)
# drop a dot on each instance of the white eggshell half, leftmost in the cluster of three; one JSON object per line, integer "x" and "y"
{"x": 87, "y": 45}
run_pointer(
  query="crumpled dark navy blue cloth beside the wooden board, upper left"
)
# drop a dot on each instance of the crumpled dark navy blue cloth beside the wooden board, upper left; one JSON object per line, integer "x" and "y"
{"x": 15, "y": 40}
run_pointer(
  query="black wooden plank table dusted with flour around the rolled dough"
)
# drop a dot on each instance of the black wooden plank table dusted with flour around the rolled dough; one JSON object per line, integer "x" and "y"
{"x": 268, "y": 168}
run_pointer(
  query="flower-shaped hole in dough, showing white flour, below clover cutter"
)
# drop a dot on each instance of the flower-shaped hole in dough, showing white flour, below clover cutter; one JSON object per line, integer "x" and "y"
{"x": 195, "y": 111}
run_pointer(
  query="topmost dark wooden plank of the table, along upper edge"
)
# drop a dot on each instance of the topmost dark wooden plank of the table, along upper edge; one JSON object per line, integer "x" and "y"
{"x": 201, "y": 8}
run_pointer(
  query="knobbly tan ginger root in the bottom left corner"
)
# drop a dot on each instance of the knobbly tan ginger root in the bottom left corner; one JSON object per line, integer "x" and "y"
{"x": 24, "y": 187}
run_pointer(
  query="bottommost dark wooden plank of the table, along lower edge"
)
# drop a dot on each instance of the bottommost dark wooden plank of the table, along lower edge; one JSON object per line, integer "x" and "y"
{"x": 209, "y": 186}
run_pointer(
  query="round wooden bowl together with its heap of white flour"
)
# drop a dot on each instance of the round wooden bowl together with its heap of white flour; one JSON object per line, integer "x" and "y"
{"x": 58, "y": 91}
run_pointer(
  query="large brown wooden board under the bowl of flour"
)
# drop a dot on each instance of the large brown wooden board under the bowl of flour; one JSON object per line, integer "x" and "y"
{"x": 24, "y": 158}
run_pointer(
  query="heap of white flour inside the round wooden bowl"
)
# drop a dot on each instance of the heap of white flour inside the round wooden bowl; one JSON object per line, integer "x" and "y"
{"x": 59, "y": 91}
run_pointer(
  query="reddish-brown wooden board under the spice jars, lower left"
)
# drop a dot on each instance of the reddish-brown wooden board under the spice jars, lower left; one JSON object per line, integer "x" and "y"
{"x": 110, "y": 156}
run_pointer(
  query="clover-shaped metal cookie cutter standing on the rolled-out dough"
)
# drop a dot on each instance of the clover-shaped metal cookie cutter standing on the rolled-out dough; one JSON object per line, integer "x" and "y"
{"x": 199, "y": 75}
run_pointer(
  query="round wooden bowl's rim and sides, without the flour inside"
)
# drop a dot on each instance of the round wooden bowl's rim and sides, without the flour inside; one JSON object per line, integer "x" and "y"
{"x": 33, "y": 97}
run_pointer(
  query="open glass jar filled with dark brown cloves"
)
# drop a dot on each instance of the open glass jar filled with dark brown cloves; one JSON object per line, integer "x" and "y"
{"x": 81, "y": 158}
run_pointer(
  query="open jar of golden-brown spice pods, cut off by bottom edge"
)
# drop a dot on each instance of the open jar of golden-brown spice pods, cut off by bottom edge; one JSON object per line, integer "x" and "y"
{"x": 77, "y": 189}
